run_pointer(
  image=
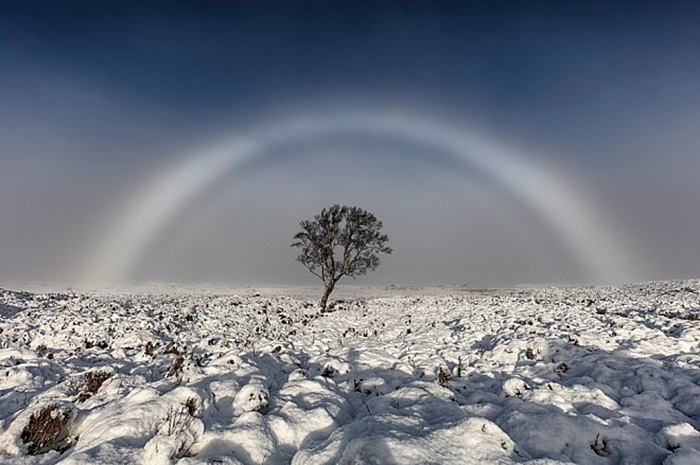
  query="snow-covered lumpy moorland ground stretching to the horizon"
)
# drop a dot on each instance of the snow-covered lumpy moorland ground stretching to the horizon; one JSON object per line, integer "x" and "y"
{"x": 592, "y": 375}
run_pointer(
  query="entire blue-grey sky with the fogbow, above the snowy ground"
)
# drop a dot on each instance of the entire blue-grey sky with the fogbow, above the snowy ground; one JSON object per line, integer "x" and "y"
{"x": 500, "y": 143}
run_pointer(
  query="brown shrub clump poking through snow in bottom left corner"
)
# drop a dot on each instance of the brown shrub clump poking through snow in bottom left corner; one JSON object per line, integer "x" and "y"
{"x": 47, "y": 430}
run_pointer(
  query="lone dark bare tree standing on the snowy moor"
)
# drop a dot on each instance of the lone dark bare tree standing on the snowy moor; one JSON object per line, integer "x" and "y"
{"x": 340, "y": 241}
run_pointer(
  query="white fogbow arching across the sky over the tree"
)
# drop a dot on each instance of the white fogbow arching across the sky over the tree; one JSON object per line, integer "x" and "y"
{"x": 556, "y": 202}
